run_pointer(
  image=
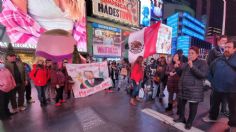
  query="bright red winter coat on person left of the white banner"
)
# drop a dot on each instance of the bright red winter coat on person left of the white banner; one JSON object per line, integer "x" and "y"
{"x": 39, "y": 76}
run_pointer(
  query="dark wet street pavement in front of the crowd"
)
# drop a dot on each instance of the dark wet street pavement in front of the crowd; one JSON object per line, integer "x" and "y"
{"x": 102, "y": 112}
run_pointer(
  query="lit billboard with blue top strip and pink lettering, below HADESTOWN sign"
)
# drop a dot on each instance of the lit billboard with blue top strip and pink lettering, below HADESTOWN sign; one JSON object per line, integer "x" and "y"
{"x": 106, "y": 41}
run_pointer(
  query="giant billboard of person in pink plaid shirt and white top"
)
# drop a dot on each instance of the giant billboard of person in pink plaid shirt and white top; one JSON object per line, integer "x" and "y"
{"x": 25, "y": 21}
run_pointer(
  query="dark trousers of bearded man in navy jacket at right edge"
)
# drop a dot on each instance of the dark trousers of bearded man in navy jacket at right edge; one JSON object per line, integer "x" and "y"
{"x": 217, "y": 98}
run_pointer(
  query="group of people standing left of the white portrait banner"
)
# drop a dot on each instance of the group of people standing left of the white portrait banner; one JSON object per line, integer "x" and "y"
{"x": 49, "y": 78}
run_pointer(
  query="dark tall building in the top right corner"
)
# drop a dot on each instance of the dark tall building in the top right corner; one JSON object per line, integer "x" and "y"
{"x": 211, "y": 11}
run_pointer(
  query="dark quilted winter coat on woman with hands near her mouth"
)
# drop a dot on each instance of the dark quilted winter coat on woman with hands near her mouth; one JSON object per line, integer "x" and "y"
{"x": 191, "y": 80}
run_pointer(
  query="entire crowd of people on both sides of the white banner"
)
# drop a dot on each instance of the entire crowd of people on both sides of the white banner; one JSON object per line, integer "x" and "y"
{"x": 183, "y": 76}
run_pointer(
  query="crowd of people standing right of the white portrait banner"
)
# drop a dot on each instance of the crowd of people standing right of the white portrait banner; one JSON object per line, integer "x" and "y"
{"x": 188, "y": 78}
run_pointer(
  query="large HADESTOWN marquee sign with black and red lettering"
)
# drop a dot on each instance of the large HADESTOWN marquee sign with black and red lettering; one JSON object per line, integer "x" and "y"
{"x": 124, "y": 11}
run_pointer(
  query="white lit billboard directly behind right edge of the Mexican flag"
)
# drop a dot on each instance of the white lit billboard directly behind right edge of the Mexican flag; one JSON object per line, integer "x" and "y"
{"x": 164, "y": 39}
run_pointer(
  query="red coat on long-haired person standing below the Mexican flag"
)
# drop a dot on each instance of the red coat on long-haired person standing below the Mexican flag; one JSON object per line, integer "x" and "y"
{"x": 137, "y": 73}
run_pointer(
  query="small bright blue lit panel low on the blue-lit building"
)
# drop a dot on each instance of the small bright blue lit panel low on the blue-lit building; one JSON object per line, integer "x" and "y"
{"x": 183, "y": 42}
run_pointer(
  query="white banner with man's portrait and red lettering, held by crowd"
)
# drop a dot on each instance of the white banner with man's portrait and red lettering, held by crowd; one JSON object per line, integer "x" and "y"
{"x": 89, "y": 78}
